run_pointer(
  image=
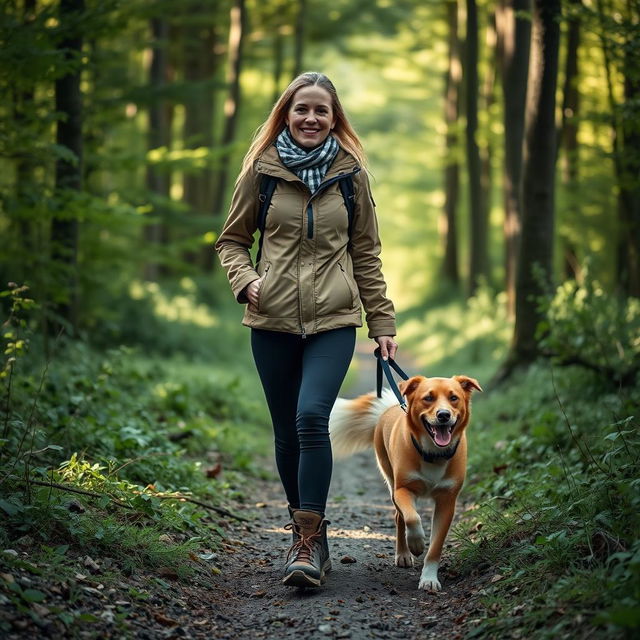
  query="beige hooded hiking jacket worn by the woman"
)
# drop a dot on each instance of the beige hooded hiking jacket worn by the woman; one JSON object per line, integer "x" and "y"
{"x": 315, "y": 279}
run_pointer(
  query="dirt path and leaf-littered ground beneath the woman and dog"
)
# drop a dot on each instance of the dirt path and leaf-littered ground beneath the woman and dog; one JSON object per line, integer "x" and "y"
{"x": 365, "y": 596}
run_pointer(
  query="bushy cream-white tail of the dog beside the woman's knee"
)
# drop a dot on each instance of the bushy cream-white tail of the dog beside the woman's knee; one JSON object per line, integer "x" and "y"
{"x": 353, "y": 422}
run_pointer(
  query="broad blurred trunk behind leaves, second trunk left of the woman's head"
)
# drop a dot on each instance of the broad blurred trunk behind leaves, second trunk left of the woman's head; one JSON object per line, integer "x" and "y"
{"x": 199, "y": 70}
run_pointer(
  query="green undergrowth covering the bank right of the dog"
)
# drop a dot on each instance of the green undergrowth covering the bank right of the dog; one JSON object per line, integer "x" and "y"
{"x": 553, "y": 467}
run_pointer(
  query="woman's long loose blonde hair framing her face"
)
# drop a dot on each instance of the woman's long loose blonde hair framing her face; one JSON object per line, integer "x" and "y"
{"x": 276, "y": 122}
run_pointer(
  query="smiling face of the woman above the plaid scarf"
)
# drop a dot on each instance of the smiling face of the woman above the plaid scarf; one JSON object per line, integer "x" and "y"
{"x": 310, "y": 117}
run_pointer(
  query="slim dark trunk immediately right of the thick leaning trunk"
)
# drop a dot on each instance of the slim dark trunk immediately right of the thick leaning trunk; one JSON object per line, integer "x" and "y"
{"x": 568, "y": 138}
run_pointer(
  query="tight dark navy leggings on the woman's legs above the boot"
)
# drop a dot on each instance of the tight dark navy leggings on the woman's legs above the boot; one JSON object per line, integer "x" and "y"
{"x": 301, "y": 378}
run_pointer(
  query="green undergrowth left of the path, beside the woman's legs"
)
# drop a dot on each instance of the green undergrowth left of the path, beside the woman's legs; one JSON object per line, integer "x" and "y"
{"x": 120, "y": 453}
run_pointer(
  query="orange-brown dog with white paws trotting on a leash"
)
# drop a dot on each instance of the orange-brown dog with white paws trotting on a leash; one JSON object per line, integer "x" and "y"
{"x": 422, "y": 452}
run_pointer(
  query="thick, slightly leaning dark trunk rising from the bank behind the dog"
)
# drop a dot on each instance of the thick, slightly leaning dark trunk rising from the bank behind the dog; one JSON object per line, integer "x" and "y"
{"x": 535, "y": 260}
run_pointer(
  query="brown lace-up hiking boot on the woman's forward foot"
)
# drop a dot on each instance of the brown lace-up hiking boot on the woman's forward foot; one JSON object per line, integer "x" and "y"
{"x": 308, "y": 559}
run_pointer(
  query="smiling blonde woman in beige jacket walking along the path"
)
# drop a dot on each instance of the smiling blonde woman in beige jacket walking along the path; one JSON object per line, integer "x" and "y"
{"x": 303, "y": 296}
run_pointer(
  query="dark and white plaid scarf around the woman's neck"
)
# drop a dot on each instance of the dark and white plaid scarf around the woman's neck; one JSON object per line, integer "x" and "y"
{"x": 311, "y": 165}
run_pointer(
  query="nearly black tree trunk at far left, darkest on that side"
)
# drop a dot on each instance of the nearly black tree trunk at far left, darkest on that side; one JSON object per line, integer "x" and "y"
{"x": 68, "y": 172}
